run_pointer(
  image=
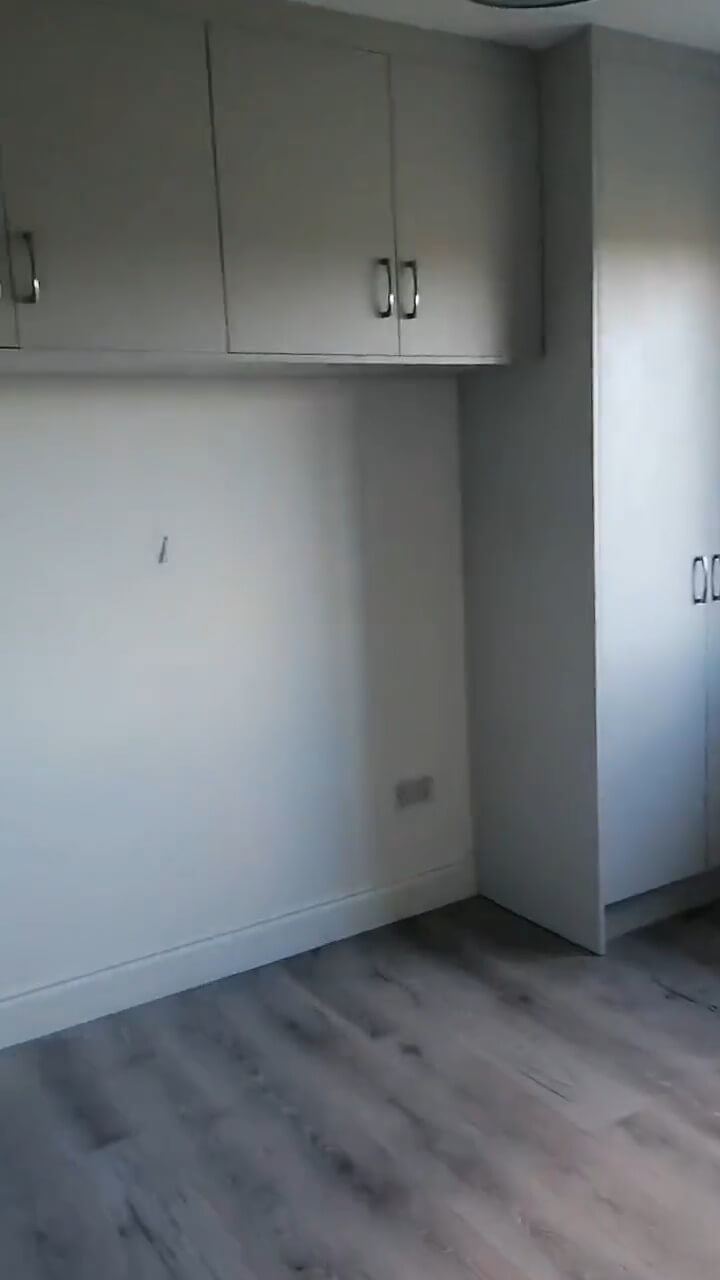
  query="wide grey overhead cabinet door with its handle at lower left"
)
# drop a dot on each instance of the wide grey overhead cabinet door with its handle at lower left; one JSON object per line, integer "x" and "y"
{"x": 108, "y": 162}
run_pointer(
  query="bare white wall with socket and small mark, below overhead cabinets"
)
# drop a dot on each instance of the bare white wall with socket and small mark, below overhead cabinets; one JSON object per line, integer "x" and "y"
{"x": 194, "y": 748}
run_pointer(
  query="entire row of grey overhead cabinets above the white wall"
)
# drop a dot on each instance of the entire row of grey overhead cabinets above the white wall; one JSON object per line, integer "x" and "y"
{"x": 174, "y": 189}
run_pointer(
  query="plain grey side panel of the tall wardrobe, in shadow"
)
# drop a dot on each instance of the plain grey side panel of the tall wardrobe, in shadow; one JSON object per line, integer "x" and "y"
{"x": 530, "y": 559}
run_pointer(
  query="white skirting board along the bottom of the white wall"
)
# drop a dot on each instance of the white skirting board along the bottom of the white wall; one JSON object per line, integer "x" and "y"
{"x": 49, "y": 1009}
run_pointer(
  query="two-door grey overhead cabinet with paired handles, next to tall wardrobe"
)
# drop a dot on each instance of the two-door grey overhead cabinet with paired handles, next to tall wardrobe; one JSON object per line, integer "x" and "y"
{"x": 377, "y": 207}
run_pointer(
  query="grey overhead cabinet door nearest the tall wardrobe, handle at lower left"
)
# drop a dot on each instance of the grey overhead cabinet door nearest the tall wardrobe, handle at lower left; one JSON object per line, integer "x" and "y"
{"x": 468, "y": 209}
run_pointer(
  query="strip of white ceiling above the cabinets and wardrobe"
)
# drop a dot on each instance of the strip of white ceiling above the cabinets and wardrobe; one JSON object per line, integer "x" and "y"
{"x": 690, "y": 22}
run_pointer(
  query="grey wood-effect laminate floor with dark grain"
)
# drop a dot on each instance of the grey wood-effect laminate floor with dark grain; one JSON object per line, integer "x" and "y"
{"x": 458, "y": 1098}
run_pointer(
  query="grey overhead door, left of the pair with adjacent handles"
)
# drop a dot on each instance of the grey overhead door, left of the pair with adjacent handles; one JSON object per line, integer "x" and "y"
{"x": 304, "y": 162}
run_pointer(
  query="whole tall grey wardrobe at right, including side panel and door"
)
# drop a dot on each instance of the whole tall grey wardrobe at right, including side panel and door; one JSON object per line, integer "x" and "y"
{"x": 594, "y": 513}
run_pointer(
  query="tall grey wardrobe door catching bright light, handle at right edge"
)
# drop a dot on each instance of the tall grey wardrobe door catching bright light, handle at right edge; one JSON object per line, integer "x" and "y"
{"x": 658, "y": 260}
